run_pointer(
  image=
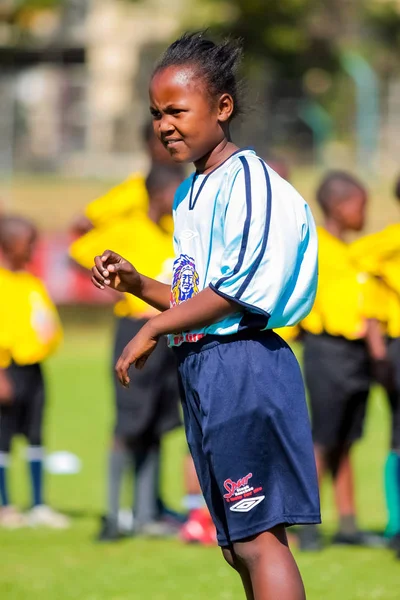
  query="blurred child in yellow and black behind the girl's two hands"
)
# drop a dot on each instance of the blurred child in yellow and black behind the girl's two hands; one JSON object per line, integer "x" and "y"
{"x": 150, "y": 407}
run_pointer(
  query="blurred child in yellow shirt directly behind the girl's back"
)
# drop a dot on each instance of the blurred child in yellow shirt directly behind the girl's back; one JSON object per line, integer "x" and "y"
{"x": 336, "y": 359}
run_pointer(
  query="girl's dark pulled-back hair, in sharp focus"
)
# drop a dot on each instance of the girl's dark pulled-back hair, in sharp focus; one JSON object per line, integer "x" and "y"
{"x": 216, "y": 63}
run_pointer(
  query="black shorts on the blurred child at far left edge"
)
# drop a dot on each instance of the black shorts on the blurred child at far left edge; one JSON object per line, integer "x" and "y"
{"x": 24, "y": 416}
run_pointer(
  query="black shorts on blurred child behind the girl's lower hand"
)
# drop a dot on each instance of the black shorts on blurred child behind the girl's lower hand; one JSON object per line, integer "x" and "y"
{"x": 150, "y": 406}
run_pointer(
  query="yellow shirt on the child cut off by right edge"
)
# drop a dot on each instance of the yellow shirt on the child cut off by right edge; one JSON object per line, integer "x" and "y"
{"x": 379, "y": 255}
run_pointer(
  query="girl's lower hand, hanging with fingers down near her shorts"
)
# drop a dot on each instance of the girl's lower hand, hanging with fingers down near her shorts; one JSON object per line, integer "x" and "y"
{"x": 136, "y": 352}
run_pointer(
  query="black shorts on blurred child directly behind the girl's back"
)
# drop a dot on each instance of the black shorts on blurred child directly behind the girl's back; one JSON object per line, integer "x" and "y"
{"x": 338, "y": 377}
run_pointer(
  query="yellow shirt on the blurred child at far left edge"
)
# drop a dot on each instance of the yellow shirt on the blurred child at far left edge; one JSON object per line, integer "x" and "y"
{"x": 30, "y": 327}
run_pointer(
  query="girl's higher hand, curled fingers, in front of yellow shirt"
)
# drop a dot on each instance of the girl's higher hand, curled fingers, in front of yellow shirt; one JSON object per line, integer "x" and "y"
{"x": 113, "y": 271}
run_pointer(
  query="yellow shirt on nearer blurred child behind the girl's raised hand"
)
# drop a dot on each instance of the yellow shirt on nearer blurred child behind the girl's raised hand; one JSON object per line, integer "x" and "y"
{"x": 137, "y": 239}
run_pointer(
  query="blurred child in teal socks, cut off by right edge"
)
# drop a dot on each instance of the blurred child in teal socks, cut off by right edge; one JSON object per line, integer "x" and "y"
{"x": 379, "y": 255}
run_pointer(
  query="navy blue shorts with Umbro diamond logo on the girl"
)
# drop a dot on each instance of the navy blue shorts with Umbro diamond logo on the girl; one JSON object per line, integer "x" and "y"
{"x": 249, "y": 433}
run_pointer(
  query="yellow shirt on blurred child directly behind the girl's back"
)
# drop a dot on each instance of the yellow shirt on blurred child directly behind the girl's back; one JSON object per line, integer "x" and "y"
{"x": 345, "y": 294}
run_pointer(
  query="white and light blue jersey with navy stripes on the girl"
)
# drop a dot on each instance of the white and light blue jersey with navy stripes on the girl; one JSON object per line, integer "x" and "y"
{"x": 246, "y": 233}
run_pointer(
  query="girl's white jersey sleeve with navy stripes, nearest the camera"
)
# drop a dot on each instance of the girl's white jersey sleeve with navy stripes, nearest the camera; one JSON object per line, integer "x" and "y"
{"x": 246, "y": 227}
